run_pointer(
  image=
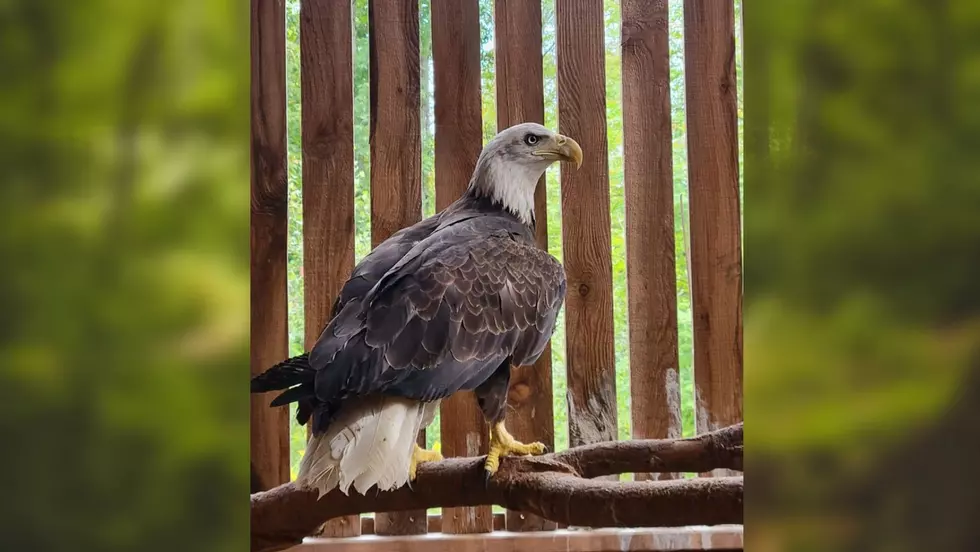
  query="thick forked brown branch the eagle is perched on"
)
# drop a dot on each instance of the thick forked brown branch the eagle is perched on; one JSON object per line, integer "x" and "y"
{"x": 556, "y": 486}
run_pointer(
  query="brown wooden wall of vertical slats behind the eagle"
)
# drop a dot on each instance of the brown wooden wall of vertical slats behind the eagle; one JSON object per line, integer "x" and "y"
{"x": 396, "y": 201}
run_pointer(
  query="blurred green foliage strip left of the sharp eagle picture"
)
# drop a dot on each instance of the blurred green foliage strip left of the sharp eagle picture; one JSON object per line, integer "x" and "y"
{"x": 124, "y": 177}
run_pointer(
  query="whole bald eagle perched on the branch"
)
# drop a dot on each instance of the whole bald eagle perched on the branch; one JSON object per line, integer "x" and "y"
{"x": 448, "y": 304}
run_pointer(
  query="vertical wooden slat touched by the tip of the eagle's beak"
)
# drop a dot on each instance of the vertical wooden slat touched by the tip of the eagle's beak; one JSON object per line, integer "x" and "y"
{"x": 586, "y": 224}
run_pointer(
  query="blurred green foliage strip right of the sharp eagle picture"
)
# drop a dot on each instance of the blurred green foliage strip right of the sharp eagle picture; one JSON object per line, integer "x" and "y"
{"x": 862, "y": 312}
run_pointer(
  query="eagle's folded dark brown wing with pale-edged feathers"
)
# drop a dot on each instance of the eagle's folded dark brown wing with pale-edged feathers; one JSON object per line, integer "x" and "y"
{"x": 462, "y": 301}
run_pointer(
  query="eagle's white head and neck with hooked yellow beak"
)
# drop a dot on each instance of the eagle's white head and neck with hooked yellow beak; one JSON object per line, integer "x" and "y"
{"x": 511, "y": 165}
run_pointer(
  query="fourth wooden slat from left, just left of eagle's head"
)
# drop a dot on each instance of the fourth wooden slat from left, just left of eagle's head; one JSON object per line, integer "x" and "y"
{"x": 458, "y": 142}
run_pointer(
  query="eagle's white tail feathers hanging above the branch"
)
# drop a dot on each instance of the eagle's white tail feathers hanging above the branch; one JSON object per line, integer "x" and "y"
{"x": 369, "y": 443}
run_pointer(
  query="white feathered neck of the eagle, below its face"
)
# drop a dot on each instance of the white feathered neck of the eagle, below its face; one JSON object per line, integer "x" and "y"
{"x": 507, "y": 184}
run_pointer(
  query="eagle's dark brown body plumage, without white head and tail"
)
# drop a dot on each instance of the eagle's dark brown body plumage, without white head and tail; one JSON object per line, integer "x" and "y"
{"x": 448, "y": 304}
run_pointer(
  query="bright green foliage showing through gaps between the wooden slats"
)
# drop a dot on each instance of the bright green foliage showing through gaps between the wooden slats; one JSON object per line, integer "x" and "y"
{"x": 615, "y": 136}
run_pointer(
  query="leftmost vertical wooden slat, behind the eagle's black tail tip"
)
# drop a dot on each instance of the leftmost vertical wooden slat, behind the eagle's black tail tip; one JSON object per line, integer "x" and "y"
{"x": 269, "y": 337}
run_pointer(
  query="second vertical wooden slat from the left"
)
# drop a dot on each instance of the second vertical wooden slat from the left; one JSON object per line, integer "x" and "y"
{"x": 328, "y": 170}
